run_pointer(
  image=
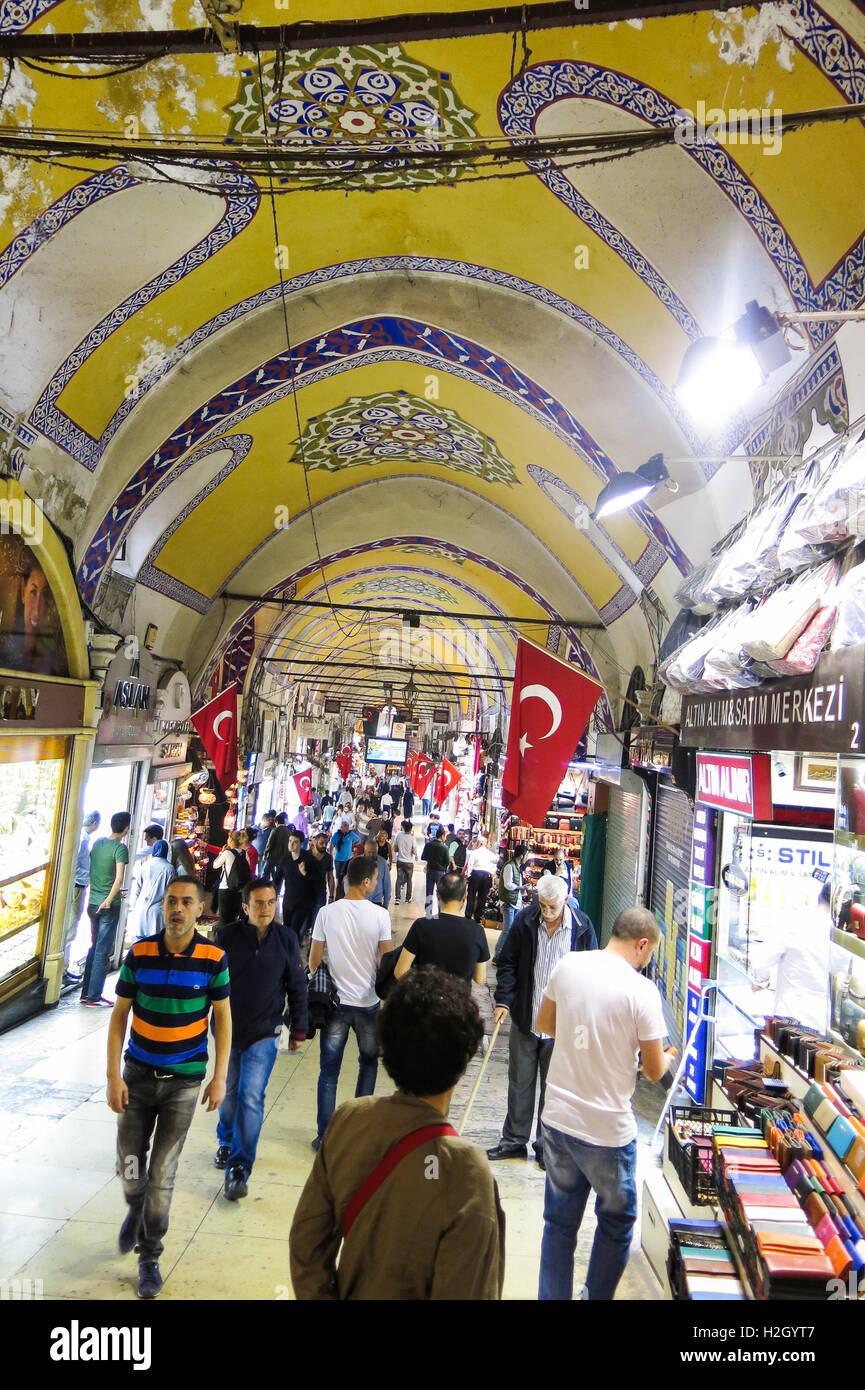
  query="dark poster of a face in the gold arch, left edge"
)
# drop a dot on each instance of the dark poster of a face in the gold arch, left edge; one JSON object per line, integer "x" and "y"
{"x": 31, "y": 635}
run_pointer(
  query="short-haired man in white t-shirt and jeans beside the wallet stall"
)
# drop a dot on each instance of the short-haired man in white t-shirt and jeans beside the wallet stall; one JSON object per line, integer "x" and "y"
{"x": 601, "y": 1013}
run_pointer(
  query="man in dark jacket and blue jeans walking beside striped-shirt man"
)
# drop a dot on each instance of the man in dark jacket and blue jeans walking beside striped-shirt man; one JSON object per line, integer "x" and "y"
{"x": 266, "y": 975}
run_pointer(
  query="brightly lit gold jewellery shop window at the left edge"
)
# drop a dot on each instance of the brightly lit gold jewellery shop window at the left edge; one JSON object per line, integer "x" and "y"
{"x": 30, "y": 796}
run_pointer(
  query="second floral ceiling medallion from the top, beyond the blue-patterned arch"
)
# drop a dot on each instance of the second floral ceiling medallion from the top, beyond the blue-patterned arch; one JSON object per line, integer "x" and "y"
{"x": 400, "y": 427}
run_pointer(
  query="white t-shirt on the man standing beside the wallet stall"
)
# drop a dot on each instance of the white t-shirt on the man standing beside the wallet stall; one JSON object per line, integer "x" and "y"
{"x": 604, "y": 1007}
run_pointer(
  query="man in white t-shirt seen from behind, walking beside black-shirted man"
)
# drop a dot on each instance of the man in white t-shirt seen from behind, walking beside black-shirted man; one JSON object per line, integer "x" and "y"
{"x": 357, "y": 935}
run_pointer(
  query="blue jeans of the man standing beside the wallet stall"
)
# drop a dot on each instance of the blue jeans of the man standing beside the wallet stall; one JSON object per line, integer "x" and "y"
{"x": 574, "y": 1170}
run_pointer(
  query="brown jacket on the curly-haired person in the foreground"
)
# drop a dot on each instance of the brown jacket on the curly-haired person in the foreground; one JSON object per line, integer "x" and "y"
{"x": 433, "y": 1231}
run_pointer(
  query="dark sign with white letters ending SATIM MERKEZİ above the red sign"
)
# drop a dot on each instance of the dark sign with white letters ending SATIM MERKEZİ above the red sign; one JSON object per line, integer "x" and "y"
{"x": 824, "y": 712}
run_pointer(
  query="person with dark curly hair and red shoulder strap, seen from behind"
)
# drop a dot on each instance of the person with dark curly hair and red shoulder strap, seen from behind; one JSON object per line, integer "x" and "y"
{"x": 426, "y": 1224}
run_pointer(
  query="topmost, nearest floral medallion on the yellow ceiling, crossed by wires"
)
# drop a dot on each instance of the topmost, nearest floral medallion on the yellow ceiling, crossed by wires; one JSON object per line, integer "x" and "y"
{"x": 339, "y": 97}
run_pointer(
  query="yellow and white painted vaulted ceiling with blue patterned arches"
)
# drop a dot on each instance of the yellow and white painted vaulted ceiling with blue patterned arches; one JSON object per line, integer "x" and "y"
{"x": 407, "y": 387}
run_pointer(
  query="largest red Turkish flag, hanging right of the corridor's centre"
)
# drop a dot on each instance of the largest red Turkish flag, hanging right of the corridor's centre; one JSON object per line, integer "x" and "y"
{"x": 550, "y": 712}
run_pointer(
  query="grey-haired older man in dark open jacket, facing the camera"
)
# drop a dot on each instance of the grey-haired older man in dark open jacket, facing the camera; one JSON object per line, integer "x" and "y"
{"x": 540, "y": 938}
